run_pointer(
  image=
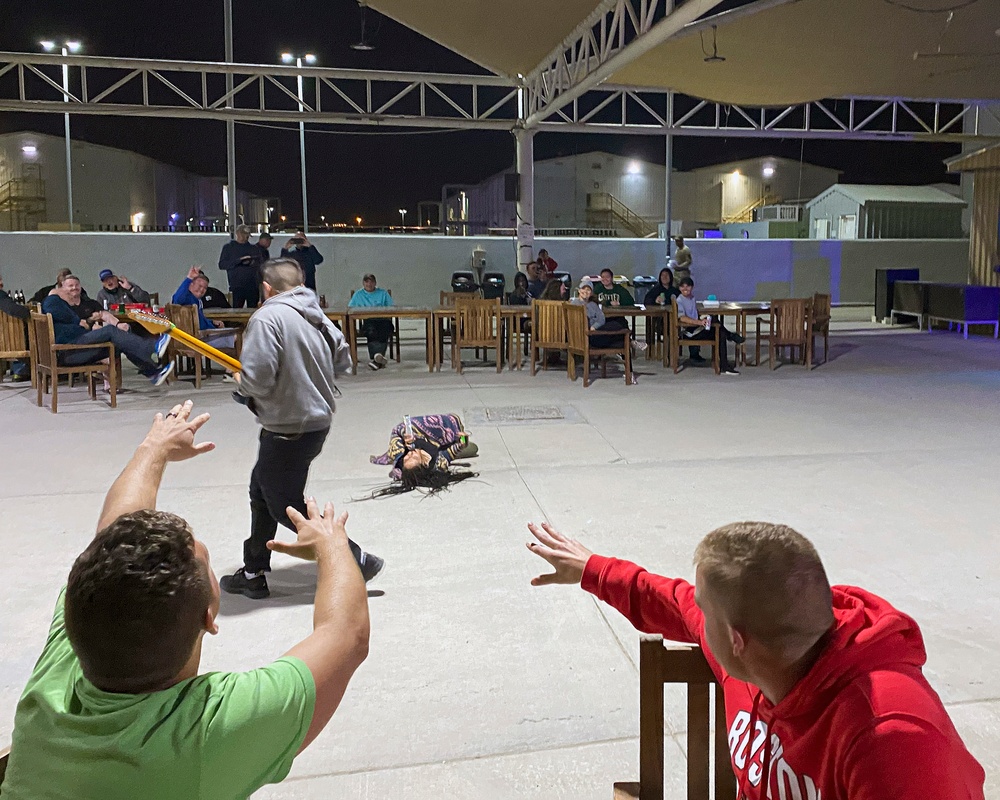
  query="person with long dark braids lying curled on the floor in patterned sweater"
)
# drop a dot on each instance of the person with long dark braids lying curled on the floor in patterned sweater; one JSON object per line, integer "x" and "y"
{"x": 421, "y": 453}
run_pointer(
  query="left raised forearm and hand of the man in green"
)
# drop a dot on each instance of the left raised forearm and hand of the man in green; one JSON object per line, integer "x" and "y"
{"x": 170, "y": 439}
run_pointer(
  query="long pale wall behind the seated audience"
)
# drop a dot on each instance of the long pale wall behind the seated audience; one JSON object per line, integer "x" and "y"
{"x": 417, "y": 268}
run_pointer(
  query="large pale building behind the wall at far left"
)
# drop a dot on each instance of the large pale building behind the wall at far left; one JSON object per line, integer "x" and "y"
{"x": 112, "y": 189}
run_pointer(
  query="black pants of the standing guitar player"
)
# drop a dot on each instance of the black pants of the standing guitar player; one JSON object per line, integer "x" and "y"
{"x": 278, "y": 480}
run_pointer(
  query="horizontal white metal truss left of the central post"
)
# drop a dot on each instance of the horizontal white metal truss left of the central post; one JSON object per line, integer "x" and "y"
{"x": 260, "y": 92}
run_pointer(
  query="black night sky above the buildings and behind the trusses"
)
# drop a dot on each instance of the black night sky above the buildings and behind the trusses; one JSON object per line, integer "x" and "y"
{"x": 367, "y": 174}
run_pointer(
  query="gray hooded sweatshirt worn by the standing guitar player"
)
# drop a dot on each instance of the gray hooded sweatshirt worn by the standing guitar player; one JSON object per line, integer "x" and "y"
{"x": 288, "y": 367}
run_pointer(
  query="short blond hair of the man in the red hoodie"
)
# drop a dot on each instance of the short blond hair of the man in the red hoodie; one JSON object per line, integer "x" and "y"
{"x": 769, "y": 580}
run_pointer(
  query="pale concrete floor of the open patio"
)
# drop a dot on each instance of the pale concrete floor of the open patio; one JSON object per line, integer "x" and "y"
{"x": 478, "y": 685}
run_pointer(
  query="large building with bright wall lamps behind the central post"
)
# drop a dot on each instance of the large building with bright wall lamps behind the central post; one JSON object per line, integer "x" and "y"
{"x": 603, "y": 194}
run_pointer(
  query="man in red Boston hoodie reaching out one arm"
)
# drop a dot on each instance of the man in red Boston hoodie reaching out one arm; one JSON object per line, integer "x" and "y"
{"x": 824, "y": 690}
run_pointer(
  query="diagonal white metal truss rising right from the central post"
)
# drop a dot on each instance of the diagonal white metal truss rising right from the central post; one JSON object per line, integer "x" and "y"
{"x": 613, "y": 36}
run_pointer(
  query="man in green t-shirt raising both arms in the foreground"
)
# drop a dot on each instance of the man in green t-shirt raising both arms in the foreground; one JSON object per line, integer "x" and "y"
{"x": 116, "y": 706}
